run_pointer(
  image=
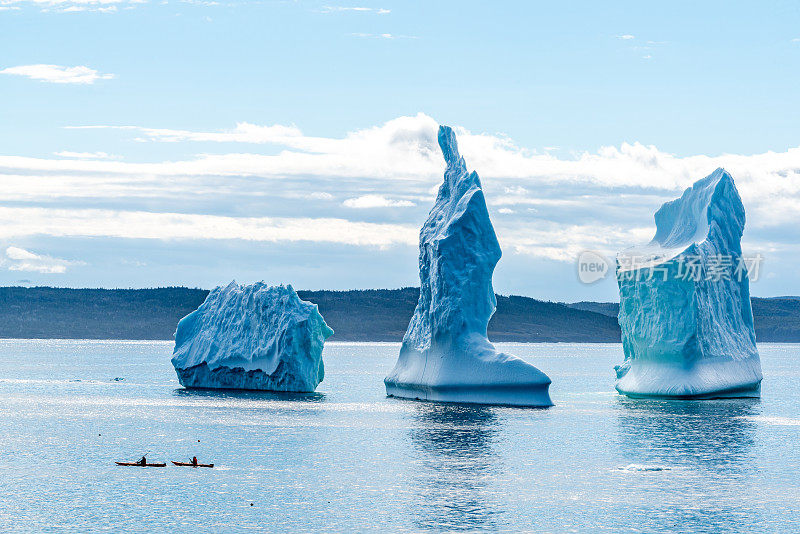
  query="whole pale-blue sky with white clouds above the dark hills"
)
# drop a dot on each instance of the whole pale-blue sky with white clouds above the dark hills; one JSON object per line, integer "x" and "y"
{"x": 147, "y": 143}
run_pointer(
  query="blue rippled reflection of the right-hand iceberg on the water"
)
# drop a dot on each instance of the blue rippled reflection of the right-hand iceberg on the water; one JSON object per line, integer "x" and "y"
{"x": 697, "y": 445}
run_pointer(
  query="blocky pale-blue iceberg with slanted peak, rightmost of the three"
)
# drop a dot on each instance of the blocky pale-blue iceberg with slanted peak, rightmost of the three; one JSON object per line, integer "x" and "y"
{"x": 685, "y": 315}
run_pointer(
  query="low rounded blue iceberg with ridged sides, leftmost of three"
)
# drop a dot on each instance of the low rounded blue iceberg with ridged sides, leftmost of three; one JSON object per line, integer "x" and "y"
{"x": 251, "y": 337}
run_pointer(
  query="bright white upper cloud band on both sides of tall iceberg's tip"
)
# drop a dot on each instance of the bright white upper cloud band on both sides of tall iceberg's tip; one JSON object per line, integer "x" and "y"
{"x": 405, "y": 148}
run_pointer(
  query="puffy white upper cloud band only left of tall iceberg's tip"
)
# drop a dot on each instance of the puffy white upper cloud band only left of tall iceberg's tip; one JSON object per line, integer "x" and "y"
{"x": 403, "y": 148}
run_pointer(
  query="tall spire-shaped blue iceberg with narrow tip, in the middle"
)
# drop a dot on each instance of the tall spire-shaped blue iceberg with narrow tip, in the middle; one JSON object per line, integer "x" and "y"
{"x": 446, "y": 355}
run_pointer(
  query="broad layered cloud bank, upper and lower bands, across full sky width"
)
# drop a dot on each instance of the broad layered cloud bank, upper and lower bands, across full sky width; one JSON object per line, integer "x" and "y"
{"x": 605, "y": 199}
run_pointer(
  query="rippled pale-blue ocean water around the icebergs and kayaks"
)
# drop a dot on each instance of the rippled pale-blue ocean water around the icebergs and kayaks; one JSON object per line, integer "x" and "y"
{"x": 348, "y": 459}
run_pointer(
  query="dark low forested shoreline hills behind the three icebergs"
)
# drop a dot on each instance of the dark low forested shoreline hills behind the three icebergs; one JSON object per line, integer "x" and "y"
{"x": 372, "y": 315}
